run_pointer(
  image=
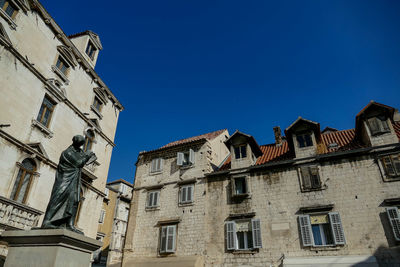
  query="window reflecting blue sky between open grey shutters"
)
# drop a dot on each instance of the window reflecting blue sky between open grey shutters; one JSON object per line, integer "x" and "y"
{"x": 321, "y": 230}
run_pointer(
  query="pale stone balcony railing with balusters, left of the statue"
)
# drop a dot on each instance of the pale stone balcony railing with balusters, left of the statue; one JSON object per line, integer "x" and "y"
{"x": 15, "y": 215}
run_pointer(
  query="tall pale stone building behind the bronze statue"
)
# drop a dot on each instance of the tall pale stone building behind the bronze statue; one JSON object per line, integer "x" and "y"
{"x": 49, "y": 93}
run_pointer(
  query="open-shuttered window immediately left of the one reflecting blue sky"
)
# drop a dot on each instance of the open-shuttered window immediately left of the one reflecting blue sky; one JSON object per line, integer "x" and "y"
{"x": 243, "y": 234}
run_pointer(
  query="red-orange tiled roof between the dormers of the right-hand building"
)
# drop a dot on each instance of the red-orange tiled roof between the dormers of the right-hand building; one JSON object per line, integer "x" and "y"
{"x": 344, "y": 140}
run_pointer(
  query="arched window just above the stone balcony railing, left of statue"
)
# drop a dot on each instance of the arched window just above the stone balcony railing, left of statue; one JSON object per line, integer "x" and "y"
{"x": 24, "y": 180}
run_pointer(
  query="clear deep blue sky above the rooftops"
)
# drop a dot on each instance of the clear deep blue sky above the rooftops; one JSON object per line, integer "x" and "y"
{"x": 183, "y": 68}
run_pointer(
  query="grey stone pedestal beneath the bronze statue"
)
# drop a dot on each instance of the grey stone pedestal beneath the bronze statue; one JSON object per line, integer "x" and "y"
{"x": 48, "y": 248}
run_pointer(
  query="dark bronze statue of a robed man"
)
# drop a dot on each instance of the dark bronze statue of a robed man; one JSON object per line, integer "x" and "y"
{"x": 65, "y": 196}
